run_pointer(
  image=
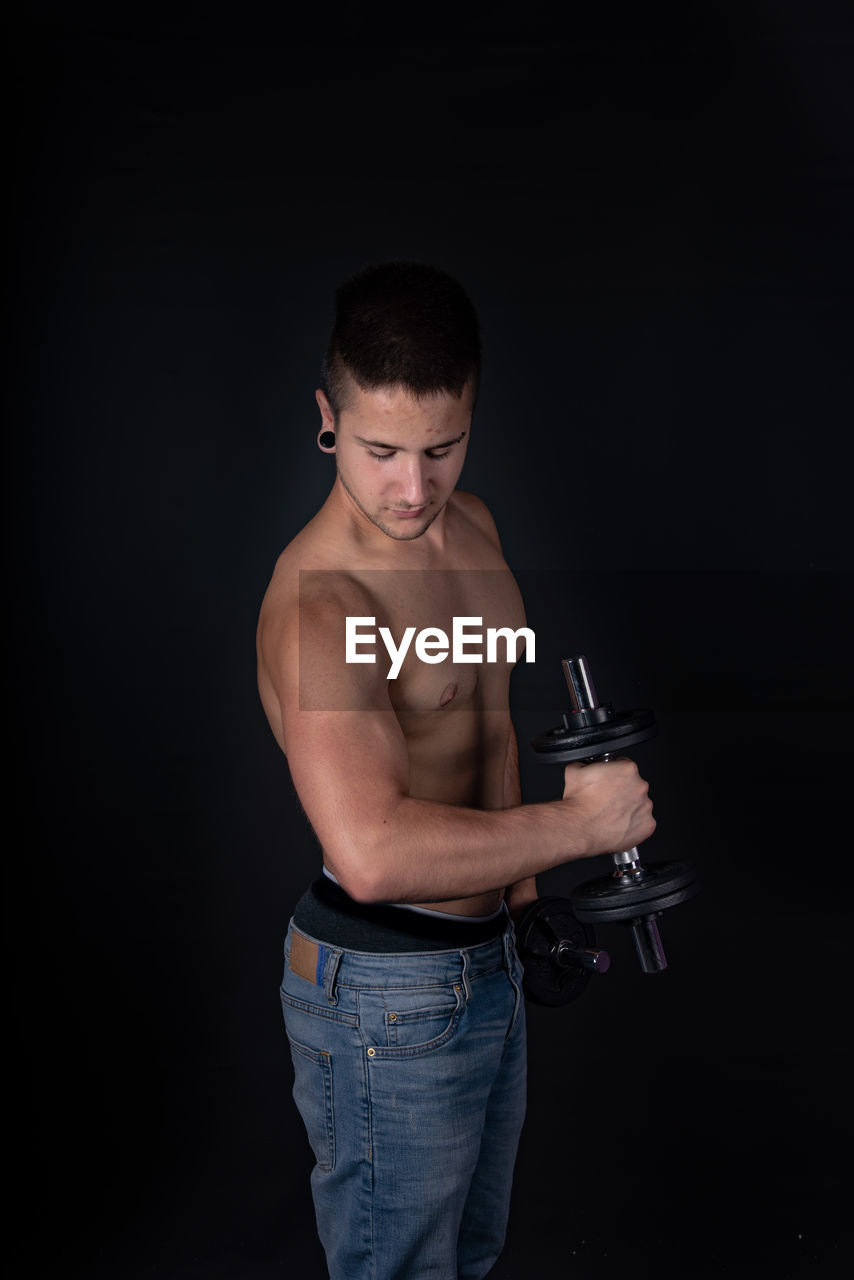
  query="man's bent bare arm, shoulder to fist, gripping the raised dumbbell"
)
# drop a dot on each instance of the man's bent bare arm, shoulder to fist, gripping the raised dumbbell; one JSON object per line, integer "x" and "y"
{"x": 350, "y": 766}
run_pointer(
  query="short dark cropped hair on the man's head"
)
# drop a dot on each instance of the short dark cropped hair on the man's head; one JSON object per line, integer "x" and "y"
{"x": 403, "y": 324}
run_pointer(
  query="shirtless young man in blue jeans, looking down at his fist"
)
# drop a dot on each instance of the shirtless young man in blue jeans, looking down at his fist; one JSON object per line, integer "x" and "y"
{"x": 401, "y": 989}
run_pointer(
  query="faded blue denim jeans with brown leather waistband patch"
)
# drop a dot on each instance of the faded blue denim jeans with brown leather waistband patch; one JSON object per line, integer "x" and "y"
{"x": 410, "y": 1078}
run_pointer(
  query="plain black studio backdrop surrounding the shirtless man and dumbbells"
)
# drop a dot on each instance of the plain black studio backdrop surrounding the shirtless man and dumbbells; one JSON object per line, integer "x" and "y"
{"x": 655, "y": 220}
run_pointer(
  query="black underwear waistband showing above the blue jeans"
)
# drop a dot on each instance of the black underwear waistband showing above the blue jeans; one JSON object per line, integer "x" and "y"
{"x": 328, "y": 915}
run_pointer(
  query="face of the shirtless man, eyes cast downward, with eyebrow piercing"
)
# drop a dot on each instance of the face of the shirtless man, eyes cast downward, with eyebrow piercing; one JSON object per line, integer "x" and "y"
{"x": 400, "y": 458}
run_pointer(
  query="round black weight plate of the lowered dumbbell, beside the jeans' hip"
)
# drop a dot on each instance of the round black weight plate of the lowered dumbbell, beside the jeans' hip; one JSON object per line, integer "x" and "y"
{"x": 545, "y": 924}
